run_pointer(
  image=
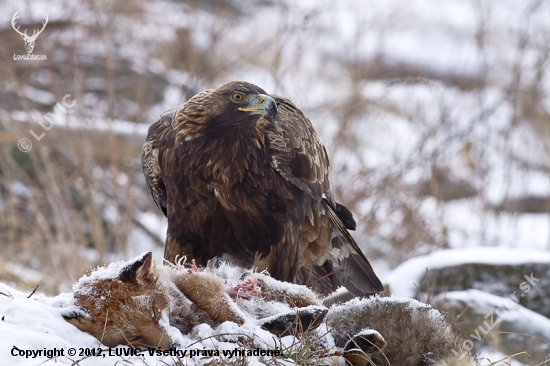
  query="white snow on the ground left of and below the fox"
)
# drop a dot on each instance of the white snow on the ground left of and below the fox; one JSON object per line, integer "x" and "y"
{"x": 36, "y": 324}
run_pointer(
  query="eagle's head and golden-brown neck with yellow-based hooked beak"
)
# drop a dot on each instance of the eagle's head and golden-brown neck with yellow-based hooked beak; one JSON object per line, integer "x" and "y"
{"x": 223, "y": 130}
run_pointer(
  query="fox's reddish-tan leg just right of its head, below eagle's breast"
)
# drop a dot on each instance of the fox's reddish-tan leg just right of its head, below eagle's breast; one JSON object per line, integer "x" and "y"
{"x": 208, "y": 292}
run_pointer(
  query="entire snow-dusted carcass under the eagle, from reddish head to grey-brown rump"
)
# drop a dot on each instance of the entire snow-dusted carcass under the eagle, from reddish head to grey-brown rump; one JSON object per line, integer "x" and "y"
{"x": 134, "y": 303}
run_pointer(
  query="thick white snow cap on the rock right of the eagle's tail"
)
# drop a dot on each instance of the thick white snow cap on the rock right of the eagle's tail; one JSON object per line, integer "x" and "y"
{"x": 403, "y": 278}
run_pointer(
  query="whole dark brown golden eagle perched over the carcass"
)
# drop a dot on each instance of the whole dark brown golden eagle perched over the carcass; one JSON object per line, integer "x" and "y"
{"x": 243, "y": 176}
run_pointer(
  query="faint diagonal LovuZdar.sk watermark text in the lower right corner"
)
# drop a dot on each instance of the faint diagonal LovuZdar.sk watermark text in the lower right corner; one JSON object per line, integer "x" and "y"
{"x": 490, "y": 322}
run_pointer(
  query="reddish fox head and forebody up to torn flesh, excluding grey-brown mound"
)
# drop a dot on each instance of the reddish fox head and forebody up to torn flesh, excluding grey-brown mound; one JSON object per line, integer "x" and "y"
{"x": 132, "y": 304}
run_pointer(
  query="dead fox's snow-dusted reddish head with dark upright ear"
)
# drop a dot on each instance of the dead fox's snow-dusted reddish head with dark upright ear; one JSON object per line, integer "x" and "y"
{"x": 125, "y": 308}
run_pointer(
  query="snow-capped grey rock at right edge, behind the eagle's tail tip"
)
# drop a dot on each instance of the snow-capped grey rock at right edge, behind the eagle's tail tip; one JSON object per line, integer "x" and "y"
{"x": 500, "y": 271}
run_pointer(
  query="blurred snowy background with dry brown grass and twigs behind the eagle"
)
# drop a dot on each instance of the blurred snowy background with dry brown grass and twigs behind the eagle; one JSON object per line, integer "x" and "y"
{"x": 436, "y": 118}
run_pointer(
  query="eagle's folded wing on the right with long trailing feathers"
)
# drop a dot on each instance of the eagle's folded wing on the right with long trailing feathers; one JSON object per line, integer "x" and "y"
{"x": 299, "y": 156}
